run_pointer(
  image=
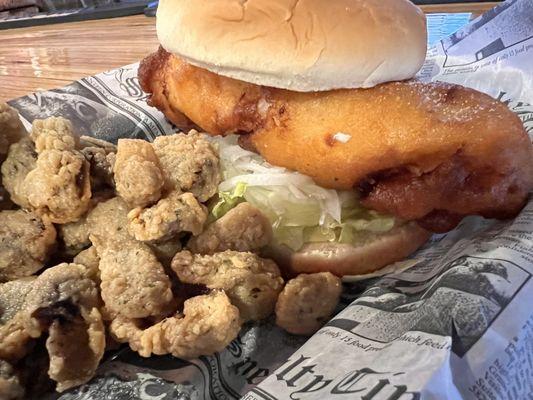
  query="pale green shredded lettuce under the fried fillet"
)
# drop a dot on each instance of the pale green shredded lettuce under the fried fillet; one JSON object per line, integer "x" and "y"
{"x": 300, "y": 210}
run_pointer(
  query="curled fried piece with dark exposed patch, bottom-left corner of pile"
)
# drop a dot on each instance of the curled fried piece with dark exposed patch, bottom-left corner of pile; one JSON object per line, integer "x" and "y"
{"x": 63, "y": 302}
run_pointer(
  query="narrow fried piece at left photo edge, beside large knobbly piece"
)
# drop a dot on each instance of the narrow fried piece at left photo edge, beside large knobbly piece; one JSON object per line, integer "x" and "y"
{"x": 21, "y": 159}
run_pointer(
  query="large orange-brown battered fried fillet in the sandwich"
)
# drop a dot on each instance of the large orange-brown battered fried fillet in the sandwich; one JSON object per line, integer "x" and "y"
{"x": 432, "y": 152}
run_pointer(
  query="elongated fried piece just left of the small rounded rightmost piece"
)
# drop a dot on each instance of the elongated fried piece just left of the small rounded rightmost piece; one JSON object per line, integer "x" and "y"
{"x": 252, "y": 283}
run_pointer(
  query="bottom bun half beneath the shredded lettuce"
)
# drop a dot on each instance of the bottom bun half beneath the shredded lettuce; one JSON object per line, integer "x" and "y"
{"x": 345, "y": 259}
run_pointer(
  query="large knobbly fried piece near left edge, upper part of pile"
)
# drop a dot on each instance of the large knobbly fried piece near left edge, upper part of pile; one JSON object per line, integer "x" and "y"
{"x": 59, "y": 187}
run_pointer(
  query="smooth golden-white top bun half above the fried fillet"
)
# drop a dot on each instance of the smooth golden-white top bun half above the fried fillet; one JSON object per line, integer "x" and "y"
{"x": 300, "y": 45}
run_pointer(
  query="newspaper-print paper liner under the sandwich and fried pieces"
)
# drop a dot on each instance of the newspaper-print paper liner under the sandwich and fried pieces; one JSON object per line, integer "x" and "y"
{"x": 455, "y": 322}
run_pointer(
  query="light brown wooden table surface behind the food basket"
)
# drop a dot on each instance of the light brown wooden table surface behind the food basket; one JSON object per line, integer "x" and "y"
{"x": 45, "y": 57}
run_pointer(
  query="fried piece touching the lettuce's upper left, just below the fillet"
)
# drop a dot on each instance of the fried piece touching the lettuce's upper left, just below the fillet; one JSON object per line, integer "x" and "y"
{"x": 190, "y": 163}
